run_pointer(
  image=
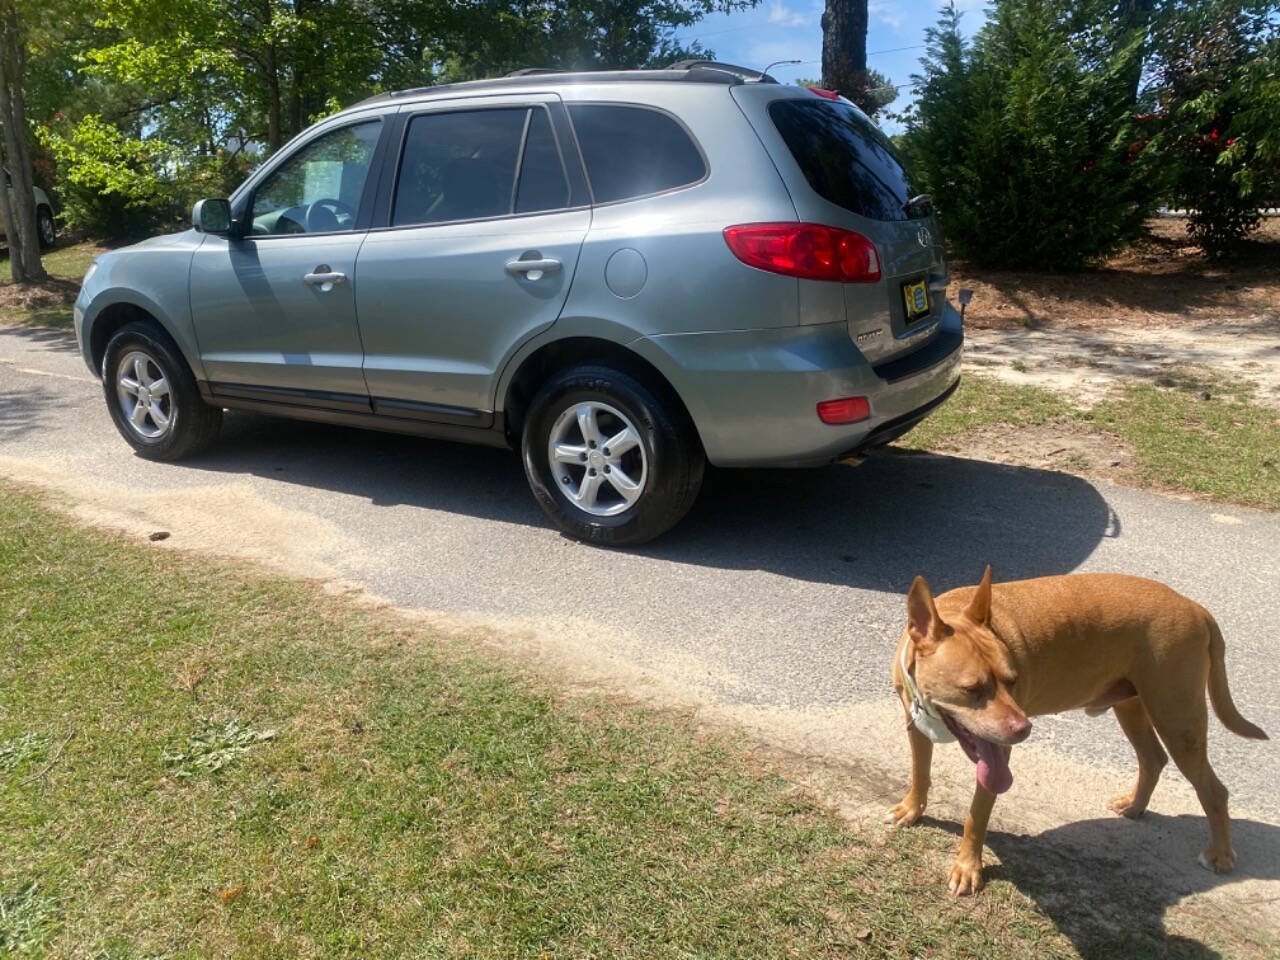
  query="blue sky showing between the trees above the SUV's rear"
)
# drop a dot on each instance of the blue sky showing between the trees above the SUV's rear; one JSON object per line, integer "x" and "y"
{"x": 792, "y": 30}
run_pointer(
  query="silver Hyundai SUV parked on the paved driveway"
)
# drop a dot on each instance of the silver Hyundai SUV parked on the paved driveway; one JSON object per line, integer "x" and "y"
{"x": 624, "y": 276}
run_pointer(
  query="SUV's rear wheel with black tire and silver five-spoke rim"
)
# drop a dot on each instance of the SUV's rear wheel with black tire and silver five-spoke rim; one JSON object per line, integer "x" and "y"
{"x": 609, "y": 460}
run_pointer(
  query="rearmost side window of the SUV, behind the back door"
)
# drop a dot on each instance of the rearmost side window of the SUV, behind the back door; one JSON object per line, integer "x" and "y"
{"x": 633, "y": 152}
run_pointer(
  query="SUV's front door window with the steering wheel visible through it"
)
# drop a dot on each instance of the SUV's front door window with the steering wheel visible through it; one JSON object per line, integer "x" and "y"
{"x": 318, "y": 189}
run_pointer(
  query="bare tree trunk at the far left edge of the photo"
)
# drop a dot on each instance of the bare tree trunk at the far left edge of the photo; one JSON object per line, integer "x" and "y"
{"x": 20, "y": 208}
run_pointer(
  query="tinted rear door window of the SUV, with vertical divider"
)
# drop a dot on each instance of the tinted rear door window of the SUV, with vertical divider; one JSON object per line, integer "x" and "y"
{"x": 469, "y": 166}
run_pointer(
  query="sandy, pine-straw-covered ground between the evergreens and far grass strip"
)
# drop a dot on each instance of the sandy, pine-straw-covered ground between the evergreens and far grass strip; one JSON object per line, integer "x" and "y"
{"x": 1156, "y": 309}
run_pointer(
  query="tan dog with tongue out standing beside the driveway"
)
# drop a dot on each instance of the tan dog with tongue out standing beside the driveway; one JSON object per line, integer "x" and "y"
{"x": 975, "y": 665}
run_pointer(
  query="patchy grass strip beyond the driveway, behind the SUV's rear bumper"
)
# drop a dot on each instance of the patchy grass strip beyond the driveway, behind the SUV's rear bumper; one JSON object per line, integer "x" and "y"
{"x": 1190, "y": 432}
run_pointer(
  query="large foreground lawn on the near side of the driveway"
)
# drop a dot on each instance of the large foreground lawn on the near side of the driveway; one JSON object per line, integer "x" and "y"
{"x": 205, "y": 762}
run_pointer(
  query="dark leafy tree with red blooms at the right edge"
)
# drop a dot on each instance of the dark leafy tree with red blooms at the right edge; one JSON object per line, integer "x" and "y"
{"x": 1215, "y": 100}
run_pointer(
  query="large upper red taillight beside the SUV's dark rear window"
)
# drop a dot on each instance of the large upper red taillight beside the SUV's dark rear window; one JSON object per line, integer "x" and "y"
{"x": 807, "y": 250}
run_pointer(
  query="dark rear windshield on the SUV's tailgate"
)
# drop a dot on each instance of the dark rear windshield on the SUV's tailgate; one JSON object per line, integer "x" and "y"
{"x": 844, "y": 157}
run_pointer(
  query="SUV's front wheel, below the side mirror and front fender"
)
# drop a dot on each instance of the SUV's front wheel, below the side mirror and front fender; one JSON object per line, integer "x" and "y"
{"x": 153, "y": 397}
